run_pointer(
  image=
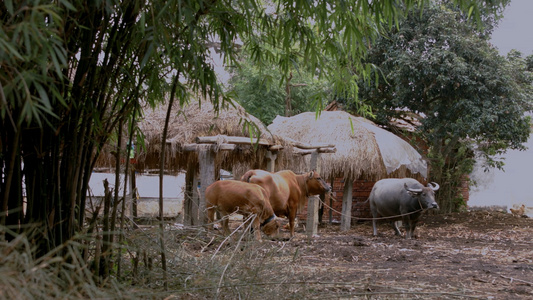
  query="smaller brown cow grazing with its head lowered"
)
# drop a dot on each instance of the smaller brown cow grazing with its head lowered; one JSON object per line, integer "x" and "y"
{"x": 231, "y": 196}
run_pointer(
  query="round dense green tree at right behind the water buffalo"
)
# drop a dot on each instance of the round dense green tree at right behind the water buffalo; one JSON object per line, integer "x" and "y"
{"x": 441, "y": 74}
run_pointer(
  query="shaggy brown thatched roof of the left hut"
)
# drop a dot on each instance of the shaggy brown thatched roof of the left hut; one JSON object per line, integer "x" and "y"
{"x": 198, "y": 118}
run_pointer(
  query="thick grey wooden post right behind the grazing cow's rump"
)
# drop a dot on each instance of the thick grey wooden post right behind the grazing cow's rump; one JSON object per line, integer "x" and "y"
{"x": 206, "y": 158}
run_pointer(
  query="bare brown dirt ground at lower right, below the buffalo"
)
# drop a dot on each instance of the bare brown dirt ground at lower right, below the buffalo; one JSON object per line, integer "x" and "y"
{"x": 479, "y": 255}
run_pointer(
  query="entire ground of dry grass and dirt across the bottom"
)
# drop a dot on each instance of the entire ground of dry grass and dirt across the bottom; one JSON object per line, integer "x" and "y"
{"x": 458, "y": 256}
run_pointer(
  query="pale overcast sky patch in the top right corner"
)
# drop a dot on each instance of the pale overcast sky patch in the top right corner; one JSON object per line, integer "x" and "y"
{"x": 516, "y": 29}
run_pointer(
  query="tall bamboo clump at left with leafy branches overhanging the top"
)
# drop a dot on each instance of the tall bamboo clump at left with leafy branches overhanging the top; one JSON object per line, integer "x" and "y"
{"x": 73, "y": 71}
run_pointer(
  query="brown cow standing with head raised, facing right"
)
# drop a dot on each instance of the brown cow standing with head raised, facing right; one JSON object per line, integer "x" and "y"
{"x": 288, "y": 191}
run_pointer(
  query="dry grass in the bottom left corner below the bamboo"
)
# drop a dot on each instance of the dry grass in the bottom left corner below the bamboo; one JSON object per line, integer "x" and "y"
{"x": 60, "y": 274}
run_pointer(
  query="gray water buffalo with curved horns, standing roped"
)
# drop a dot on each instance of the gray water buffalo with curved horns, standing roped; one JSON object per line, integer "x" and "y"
{"x": 404, "y": 198}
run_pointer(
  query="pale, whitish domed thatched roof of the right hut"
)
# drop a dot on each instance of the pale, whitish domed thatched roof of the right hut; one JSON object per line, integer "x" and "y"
{"x": 366, "y": 151}
